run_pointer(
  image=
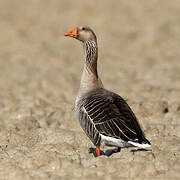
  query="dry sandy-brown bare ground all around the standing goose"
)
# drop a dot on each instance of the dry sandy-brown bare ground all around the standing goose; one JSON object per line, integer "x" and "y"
{"x": 40, "y": 69}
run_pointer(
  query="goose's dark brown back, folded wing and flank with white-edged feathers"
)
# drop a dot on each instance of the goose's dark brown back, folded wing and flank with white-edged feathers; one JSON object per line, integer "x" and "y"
{"x": 102, "y": 113}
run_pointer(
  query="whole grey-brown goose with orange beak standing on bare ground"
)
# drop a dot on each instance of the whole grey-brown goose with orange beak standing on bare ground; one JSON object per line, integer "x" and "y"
{"x": 104, "y": 116}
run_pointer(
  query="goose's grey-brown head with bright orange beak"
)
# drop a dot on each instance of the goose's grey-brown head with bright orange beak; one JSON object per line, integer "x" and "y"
{"x": 82, "y": 33}
